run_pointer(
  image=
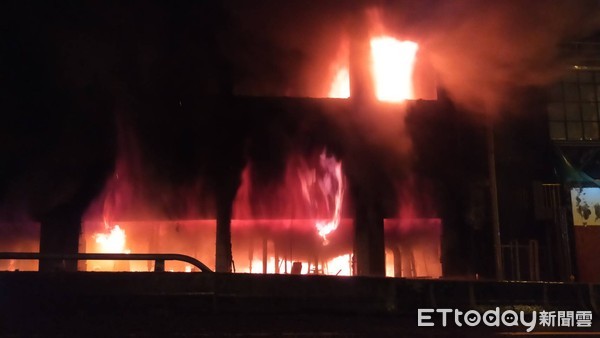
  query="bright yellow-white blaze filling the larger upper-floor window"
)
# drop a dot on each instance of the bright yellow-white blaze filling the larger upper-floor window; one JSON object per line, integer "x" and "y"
{"x": 393, "y": 63}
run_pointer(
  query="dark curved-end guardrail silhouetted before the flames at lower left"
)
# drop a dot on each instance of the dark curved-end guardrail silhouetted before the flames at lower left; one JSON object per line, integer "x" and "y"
{"x": 159, "y": 259}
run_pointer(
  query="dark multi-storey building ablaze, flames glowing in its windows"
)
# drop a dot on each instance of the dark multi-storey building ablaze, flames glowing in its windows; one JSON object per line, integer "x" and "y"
{"x": 263, "y": 138}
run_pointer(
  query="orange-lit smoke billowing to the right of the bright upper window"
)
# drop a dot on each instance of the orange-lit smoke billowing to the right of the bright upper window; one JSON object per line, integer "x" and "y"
{"x": 484, "y": 51}
